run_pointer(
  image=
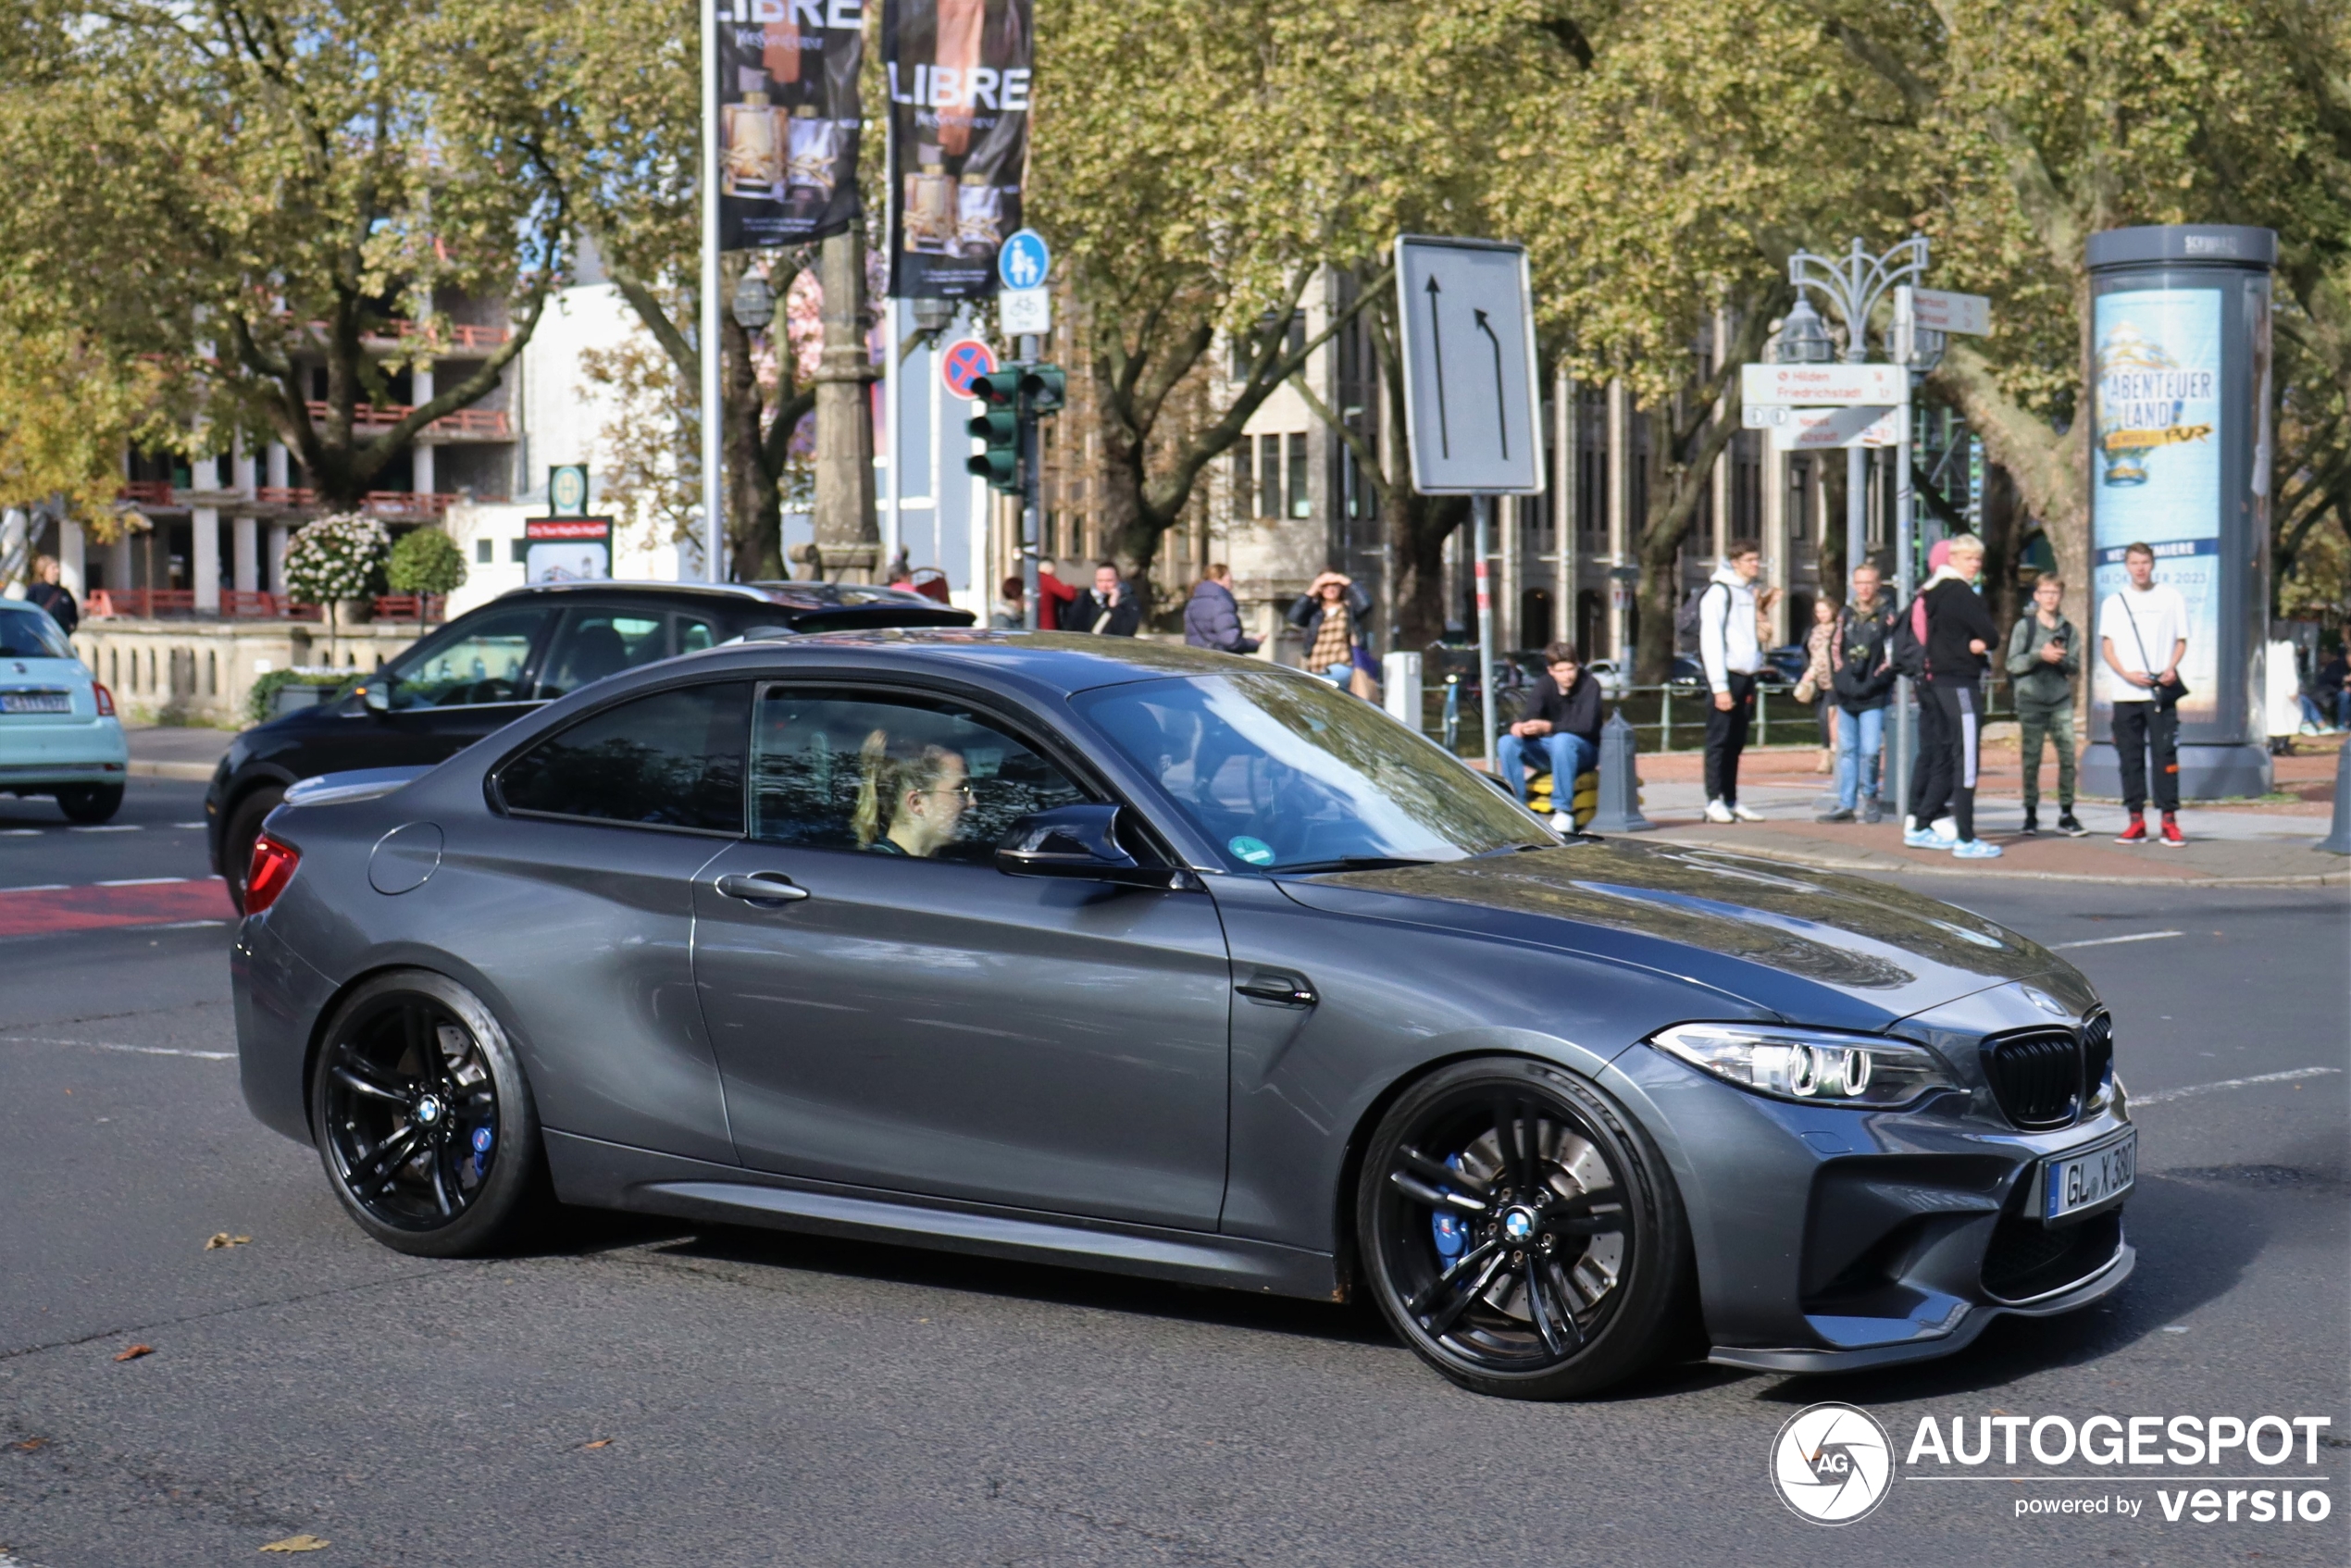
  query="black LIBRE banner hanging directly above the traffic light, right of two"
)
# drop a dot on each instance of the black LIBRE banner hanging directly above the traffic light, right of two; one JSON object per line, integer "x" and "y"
{"x": 958, "y": 95}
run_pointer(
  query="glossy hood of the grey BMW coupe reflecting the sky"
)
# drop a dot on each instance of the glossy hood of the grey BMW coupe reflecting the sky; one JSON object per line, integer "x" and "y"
{"x": 1809, "y": 946}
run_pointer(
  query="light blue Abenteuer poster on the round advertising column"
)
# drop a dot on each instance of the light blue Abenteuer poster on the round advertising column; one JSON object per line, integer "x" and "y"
{"x": 2157, "y": 469}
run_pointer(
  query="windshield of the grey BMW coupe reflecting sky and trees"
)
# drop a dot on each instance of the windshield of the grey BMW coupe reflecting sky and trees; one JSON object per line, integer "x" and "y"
{"x": 1292, "y": 775}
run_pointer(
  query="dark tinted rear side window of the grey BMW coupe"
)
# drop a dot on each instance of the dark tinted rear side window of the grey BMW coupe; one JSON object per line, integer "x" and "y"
{"x": 664, "y": 760}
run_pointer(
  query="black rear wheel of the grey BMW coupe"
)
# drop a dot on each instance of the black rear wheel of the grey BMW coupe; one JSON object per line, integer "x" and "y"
{"x": 422, "y": 1118}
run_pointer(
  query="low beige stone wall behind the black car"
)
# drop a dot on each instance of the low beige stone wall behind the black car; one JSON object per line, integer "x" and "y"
{"x": 201, "y": 671}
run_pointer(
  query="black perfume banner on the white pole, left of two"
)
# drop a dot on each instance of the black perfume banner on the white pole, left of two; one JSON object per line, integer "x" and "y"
{"x": 789, "y": 121}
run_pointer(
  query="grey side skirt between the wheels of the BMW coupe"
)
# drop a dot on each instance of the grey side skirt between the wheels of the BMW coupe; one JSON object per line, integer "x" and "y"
{"x": 598, "y": 1174}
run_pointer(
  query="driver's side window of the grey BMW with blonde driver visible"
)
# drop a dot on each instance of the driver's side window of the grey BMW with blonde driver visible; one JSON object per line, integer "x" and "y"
{"x": 892, "y": 777}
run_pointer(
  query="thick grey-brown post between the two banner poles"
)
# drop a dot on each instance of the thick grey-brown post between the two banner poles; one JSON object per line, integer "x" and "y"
{"x": 848, "y": 530}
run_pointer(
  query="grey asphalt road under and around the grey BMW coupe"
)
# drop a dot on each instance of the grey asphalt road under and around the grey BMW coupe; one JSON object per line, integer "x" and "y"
{"x": 667, "y": 1395}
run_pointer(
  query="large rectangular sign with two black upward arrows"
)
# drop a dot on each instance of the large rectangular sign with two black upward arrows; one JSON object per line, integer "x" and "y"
{"x": 1471, "y": 403}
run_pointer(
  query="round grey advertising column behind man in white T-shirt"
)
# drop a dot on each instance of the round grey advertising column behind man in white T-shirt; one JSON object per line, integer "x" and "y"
{"x": 2181, "y": 462}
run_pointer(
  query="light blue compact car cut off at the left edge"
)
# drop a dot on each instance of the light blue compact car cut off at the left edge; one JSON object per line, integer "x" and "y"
{"x": 58, "y": 725}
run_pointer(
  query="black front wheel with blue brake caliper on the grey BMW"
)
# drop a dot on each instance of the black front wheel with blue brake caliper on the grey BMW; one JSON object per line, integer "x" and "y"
{"x": 1522, "y": 1233}
